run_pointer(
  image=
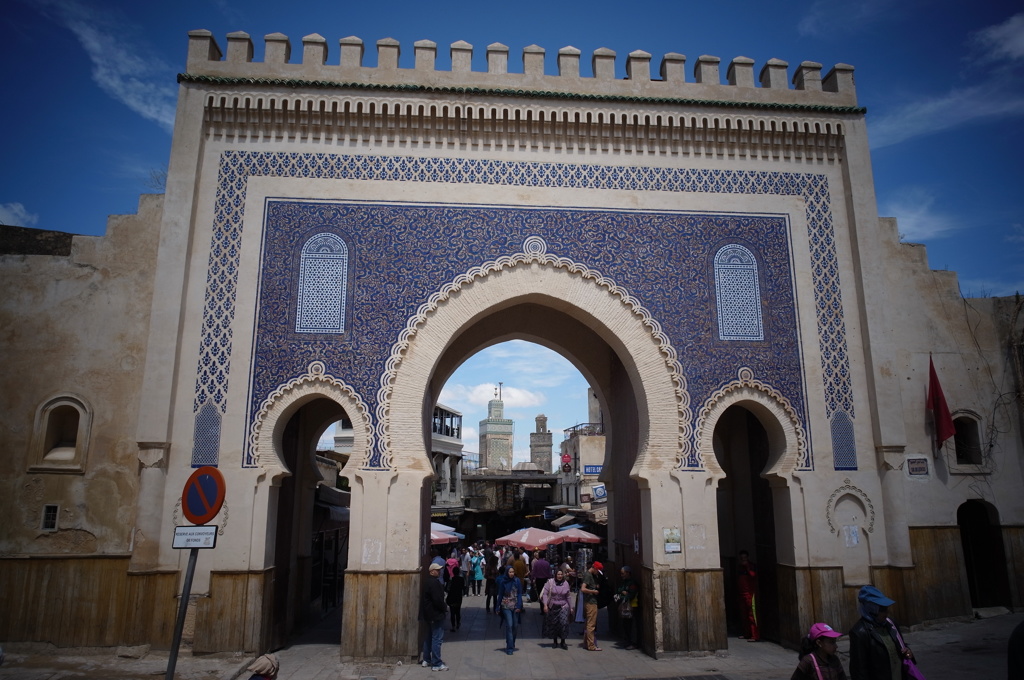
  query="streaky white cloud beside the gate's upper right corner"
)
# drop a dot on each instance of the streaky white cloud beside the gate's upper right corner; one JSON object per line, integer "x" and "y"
{"x": 955, "y": 109}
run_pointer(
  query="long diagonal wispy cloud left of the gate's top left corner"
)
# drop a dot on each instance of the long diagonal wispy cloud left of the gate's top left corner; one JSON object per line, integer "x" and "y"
{"x": 121, "y": 68}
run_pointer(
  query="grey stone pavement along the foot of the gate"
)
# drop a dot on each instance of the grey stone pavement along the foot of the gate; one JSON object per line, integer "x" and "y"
{"x": 948, "y": 652}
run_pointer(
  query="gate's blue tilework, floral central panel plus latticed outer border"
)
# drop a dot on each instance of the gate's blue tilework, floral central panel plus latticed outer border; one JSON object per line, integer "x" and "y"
{"x": 665, "y": 260}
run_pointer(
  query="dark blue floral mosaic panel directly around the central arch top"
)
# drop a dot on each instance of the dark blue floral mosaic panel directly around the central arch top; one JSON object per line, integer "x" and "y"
{"x": 666, "y": 261}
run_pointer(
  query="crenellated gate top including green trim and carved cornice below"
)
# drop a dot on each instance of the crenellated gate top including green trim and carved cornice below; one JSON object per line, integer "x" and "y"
{"x": 337, "y": 100}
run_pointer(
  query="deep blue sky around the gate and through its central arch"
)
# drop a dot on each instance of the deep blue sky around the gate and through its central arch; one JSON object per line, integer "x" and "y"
{"x": 91, "y": 93}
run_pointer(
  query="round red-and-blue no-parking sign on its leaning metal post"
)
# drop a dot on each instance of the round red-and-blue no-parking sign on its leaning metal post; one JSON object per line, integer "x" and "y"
{"x": 201, "y": 501}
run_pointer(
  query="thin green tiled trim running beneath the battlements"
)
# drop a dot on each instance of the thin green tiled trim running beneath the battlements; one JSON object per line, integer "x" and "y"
{"x": 326, "y": 84}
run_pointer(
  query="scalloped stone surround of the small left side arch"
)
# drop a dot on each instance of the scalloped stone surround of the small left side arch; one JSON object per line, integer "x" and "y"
{"x": 266, "y": 436}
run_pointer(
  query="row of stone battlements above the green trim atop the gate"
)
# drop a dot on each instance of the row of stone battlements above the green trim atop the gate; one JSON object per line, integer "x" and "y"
{"x": 346, "y": 66}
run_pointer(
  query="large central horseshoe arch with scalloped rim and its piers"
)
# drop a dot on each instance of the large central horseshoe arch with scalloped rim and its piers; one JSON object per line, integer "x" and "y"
{"x": 616, "y": 346}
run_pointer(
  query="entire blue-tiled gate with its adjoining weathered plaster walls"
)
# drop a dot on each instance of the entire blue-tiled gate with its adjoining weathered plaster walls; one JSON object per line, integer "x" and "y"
{"x": 336, "y": 239}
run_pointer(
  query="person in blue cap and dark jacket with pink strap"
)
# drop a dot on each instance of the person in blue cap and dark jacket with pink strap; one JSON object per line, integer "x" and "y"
{"x": 877, "y": 650}
